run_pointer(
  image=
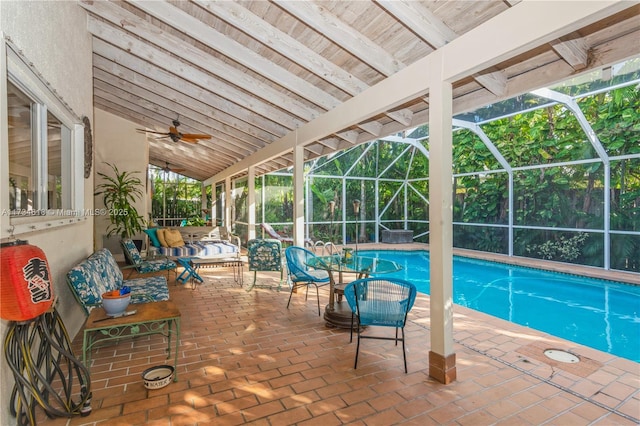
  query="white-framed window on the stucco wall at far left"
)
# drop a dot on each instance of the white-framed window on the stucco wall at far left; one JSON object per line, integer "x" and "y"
{"x": 43, "y": 135}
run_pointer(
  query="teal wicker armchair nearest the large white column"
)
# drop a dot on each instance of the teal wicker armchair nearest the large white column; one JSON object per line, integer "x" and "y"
{"x": 380, "y": 302}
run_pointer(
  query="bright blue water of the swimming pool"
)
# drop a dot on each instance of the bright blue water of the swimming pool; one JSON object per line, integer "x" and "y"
{"x": 601, "y": 314}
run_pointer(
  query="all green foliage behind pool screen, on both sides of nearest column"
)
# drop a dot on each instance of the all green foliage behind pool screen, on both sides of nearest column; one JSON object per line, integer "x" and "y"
{"x": 548, "y": 192}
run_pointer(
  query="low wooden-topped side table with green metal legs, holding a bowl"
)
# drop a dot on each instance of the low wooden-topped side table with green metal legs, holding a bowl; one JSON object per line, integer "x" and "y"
{"x": 150, "y": 318}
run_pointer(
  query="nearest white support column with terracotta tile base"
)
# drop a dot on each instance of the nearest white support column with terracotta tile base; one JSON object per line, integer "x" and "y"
{"x": 442, "y": 359}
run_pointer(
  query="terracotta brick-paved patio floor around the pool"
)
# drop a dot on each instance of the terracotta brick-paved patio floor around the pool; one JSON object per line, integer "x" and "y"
{"x": 246, "y": 359}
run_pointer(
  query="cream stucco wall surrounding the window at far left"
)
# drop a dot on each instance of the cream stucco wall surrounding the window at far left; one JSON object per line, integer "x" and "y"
{"x": 53, "y": 36}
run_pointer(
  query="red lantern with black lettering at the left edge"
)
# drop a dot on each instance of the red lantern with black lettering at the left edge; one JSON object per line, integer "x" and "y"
{"x": 25, "y": 282}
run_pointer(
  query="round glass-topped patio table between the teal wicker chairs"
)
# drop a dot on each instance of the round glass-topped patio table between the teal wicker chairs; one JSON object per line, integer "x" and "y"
{"x": 337, "y": 313}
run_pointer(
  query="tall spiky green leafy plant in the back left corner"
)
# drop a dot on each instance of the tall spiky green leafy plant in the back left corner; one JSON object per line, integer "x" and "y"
{"x": 119, "y": 194}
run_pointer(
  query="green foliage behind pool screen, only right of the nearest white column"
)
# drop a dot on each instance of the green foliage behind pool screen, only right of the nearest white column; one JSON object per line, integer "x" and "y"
{"x": 558, "y": 196}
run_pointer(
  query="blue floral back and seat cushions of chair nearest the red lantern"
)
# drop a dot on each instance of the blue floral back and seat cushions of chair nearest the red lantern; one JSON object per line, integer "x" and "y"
{"x": 100, "y": 273}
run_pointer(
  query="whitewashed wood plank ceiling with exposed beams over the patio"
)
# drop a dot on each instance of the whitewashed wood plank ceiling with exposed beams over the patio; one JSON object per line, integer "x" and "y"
{"x": 250, "y": 72}
